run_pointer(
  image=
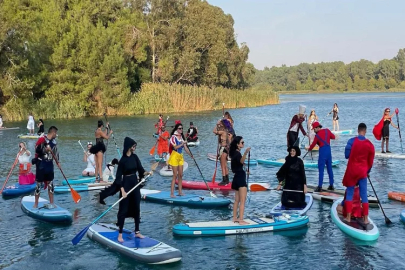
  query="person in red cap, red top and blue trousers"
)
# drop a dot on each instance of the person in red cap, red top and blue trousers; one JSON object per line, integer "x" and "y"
{"x": 322, "y": 138}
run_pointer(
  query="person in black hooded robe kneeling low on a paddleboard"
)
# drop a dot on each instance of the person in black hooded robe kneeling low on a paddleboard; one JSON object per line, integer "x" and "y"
{"x": 292, "y": 173}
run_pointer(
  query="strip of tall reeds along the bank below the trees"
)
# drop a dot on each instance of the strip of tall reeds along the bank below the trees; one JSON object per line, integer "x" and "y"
{"x": 153, "y": 98}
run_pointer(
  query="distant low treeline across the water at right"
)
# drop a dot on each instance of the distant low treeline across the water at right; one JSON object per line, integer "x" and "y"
{"x": 358, "y": 75}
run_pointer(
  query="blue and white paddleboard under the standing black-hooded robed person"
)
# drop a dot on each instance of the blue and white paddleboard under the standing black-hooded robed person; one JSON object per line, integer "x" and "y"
{"x": 146, "y": 250}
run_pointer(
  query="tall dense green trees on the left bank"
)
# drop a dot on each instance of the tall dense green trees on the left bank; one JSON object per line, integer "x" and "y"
{"x": 83, "y": 57}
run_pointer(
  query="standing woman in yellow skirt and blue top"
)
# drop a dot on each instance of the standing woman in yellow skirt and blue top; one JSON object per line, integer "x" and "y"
{"x": 176, "y": 160}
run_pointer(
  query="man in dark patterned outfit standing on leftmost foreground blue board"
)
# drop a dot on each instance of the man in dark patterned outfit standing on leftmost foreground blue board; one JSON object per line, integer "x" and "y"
{"x": 44, "y": 164}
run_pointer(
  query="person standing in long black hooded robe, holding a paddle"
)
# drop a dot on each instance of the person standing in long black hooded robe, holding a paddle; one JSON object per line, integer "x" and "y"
{"x": 130, "y": 207}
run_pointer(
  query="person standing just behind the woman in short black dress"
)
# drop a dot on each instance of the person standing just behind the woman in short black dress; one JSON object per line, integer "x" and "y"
{"x": 224, "y": 138}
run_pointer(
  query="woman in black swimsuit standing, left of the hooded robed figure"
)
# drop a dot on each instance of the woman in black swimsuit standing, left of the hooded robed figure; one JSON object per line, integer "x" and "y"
{"x": 99, "y": 148}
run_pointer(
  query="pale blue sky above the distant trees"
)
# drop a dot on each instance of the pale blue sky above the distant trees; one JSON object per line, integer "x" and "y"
{"x": 291, "y": 32}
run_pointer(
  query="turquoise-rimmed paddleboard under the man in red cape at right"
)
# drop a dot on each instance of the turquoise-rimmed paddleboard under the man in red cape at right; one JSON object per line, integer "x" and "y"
{"x": 356, "y": 229}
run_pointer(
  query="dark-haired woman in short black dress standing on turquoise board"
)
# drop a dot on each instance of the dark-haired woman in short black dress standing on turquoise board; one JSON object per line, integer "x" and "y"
{"x": 239, "y": 179}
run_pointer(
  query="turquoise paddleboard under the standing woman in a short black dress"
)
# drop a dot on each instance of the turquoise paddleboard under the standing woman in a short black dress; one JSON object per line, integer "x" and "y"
{"x": 227, "y": 227}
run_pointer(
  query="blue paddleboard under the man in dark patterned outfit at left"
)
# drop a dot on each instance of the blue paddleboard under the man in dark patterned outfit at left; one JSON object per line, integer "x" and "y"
{"x": 45, "y": 211}
